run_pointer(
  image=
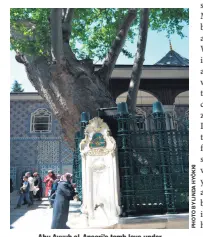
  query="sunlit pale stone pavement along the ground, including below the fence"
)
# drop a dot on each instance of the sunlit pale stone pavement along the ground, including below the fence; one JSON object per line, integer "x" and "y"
{"x": 40, "y": 215}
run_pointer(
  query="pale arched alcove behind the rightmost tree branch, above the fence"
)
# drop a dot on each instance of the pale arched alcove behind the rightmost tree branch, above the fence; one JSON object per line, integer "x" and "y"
{"x": 143, "y": 98}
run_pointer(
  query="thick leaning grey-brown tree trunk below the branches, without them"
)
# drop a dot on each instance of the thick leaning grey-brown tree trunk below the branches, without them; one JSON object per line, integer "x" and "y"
{"x": 69, "y": 92}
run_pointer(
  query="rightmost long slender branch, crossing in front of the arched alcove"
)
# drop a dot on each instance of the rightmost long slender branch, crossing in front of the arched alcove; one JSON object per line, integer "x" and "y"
{"x": 139, "y": 59}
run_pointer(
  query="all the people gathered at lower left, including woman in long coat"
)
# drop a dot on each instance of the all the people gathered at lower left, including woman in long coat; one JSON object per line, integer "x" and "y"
{"x": 59, "y": 190}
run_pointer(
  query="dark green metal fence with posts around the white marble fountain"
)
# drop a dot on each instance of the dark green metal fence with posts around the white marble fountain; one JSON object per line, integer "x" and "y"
{"x": 153, "y": 156}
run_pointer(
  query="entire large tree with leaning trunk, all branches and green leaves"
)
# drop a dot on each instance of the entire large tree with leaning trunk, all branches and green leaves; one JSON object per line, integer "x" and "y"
{"x": 59, "y": 48}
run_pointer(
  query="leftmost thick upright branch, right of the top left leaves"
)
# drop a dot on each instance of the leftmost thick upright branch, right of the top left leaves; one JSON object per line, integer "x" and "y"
{"x": 57, "y": 35}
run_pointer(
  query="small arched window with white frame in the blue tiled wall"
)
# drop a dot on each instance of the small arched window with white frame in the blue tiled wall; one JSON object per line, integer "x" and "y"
{"x": 41, "y": 121}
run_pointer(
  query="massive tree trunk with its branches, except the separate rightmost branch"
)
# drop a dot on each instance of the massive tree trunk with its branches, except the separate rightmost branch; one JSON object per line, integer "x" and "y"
{"x": 68, "y": 85}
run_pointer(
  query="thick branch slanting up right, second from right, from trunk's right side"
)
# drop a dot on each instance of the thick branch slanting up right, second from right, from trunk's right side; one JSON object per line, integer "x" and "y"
{"x": 117, "y": 45}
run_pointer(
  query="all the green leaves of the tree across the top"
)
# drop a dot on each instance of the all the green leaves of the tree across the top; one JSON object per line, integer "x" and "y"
{"x": 93, "y": 29}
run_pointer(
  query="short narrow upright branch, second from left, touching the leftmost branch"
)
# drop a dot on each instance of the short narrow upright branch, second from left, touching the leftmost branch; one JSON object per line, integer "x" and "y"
{"x": 67, "y": 23}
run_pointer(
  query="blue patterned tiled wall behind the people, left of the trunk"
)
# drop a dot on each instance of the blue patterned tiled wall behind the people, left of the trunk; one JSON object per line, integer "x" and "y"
{"x": 35, "y": 151}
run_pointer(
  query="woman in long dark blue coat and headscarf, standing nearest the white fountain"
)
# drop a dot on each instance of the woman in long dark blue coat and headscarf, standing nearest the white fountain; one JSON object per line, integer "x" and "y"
{"x": 65, "y": 192}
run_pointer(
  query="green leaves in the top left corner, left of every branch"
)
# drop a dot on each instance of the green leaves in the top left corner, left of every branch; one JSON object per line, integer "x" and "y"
{"x": 30, "y": 31}
